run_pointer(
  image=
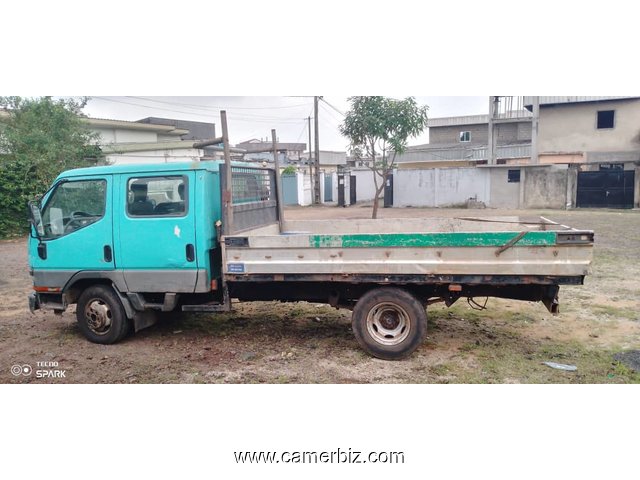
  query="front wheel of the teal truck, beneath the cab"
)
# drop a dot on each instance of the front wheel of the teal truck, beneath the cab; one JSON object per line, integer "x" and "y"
{"x": 101, "y": 316}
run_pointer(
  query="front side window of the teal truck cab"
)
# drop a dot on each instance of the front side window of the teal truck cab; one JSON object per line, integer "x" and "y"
{"x": 74, "y": 205}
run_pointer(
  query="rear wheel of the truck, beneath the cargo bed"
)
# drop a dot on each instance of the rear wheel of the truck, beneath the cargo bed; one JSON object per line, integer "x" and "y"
{"x": 389, "y": 323}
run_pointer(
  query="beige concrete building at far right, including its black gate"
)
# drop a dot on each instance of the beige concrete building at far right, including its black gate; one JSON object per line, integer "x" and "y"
{"x": 599, "y": 137}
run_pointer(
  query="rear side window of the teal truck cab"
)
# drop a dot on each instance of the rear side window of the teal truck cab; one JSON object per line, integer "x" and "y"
{"x": 157, "y": 196}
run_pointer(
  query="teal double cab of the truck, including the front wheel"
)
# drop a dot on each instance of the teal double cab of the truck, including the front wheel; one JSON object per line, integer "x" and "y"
{"x": 140, "y": 236}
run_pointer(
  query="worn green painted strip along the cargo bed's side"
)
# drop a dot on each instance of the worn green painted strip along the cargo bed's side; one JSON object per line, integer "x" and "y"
{"x": 458, "y": 239}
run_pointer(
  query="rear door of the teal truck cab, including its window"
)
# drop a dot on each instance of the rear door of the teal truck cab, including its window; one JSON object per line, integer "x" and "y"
{"x": 156, "y": 232}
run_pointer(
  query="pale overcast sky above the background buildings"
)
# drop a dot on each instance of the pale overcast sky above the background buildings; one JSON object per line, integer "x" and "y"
{"x": 254, "y": 117}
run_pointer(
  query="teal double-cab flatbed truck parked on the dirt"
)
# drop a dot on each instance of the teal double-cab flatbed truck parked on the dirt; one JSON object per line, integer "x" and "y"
{"x": 124, "y": 242}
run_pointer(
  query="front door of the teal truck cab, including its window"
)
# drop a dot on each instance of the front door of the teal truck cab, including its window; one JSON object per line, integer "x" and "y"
{"x": 78, "y": 231}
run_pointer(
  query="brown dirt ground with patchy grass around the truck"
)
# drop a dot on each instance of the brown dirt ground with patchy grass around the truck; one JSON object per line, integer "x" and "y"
{"x": 308, "y": 343}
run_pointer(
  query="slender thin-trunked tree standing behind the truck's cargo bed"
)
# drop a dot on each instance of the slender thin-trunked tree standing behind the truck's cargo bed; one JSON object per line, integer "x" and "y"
{"x": 378, "y": 128}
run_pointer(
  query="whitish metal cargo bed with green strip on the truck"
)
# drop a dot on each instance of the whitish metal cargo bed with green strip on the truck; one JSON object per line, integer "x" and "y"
{"x": 469, "y": 250}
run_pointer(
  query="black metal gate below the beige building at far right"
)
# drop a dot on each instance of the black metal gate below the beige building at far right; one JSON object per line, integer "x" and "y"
{"x": 605, "y": 189}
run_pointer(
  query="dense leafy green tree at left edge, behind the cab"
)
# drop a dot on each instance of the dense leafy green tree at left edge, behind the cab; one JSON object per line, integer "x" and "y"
{"x": 39, "y": 138}
